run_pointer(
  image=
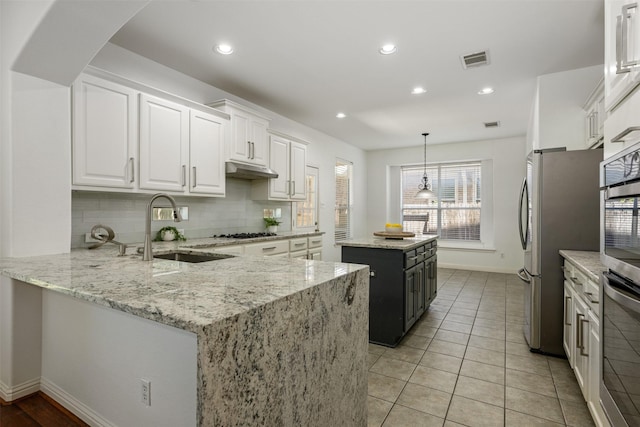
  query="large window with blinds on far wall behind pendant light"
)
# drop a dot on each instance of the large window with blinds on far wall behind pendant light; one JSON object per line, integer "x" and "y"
{"x": 455, "y": 214}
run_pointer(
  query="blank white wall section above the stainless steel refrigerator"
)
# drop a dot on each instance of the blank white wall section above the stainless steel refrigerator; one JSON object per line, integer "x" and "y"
{"x": 558, "y": 117}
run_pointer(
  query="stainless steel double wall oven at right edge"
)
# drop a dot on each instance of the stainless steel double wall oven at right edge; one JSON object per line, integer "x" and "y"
{"x": 620, "y": 289}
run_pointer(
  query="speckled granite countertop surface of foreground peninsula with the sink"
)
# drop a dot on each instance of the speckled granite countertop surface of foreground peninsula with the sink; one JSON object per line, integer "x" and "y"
{"x": 184, "y": 295}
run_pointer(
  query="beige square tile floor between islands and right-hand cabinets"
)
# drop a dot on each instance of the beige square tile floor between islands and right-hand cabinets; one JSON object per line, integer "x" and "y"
{"x": 466, "y": 363}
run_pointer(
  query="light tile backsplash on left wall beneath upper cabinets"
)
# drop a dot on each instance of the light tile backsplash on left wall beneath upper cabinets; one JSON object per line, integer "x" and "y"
{"x": 126, "y": 213}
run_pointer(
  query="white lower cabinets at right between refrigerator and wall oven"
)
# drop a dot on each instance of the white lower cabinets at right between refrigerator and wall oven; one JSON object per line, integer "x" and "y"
{"x": 581, "y": 338}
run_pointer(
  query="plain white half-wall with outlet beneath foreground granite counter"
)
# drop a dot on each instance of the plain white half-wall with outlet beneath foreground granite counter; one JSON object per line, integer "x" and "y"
{"x": 88, "y": 349}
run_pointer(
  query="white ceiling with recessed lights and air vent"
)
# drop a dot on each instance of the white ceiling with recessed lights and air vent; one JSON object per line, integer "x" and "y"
{"x": 308, "y": 60}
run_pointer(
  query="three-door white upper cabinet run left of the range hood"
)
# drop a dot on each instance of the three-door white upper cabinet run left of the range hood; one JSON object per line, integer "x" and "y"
{"x": 131, "y": 138}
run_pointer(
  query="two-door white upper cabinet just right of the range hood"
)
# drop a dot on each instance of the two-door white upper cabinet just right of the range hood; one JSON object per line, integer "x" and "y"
{"x": 288, "y": 158}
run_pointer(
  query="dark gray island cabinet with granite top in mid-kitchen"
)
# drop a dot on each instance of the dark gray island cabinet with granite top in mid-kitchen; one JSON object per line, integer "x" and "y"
{"x": 403, "y": 282}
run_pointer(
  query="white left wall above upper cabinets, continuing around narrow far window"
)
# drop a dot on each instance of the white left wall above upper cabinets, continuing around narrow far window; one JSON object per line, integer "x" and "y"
{"x": 322, "y": 150}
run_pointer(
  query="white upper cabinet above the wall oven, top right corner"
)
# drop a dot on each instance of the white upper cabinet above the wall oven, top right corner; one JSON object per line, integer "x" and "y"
{"x": 622, "y": 50}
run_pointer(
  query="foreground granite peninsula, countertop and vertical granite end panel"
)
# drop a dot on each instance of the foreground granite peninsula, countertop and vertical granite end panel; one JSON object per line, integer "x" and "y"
{"x": 279, "y": 341}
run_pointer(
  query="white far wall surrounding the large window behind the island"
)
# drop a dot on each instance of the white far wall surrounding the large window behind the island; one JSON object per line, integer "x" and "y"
{"x": 500, "y": 251}
